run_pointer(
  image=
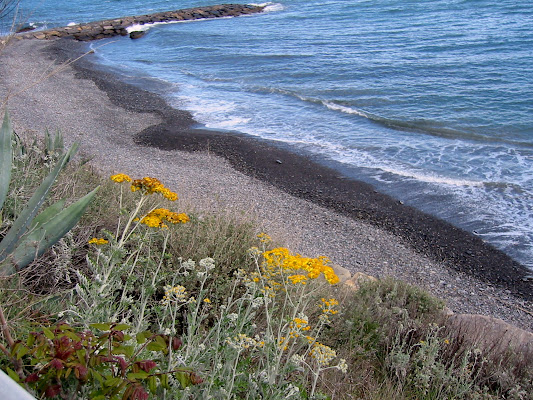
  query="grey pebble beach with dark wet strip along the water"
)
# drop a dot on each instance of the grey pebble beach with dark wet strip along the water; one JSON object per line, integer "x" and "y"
{"x": 313, "y": 210}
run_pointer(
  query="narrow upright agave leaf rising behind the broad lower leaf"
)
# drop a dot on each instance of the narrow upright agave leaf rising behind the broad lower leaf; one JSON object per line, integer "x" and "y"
{"x": 24, "y": 220}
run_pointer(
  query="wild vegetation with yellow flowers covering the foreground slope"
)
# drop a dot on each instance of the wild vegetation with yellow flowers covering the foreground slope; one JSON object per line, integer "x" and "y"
{"x": 142, "y": 299}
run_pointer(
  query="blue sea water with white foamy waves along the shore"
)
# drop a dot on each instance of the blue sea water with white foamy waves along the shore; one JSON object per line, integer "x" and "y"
{"x": 430, "y": 101}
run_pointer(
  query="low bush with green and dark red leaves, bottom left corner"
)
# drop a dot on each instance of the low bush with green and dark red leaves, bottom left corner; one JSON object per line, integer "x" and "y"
{"x": 63, "y": 361}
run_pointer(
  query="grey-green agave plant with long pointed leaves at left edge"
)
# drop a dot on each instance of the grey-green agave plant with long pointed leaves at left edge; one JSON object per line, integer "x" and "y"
{"x": 31, "y": 234}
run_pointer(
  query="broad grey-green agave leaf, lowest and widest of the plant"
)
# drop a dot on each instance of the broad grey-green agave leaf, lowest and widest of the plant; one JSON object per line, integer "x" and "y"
{"x": 49, "y": 231}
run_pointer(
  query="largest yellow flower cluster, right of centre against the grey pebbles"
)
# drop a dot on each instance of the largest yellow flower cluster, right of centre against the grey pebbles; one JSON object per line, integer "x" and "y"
{"x": 282, "y": 258}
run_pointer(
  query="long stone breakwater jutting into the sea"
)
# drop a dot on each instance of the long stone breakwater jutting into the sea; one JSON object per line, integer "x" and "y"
{"x": 118, "y": 27}
